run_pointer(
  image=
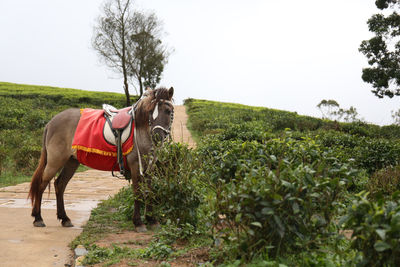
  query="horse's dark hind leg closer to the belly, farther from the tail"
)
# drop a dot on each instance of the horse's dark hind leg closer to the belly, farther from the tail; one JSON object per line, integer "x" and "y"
{"x": 60, "y": 183}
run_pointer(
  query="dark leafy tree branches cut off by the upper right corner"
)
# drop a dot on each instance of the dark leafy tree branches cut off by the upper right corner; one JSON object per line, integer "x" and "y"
{"x": 383, "y": 51}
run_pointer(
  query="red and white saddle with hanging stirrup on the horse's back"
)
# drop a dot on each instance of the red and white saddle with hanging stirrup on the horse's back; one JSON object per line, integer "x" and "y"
{"x": 117, "y": 130}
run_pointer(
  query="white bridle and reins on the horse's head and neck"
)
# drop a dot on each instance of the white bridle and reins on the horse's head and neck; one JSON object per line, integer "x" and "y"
{"x": 167, "y": 132}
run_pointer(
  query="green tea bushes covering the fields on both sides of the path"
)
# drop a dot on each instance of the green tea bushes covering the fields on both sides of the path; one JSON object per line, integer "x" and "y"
{"x": 263, "y": 187}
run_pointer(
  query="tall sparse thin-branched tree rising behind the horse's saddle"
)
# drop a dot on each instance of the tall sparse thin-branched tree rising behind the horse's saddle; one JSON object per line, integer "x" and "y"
{"x": 129, "y": 42}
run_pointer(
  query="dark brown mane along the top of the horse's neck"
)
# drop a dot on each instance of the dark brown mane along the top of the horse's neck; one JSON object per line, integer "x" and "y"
{"x": 147, "y": 104}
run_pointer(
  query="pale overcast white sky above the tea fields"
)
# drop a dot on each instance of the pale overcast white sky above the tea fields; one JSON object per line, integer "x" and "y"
{"x": 286, "y": 55}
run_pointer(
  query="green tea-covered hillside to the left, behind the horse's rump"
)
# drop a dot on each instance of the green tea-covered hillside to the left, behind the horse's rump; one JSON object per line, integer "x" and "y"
{"x": 25, "y": 111}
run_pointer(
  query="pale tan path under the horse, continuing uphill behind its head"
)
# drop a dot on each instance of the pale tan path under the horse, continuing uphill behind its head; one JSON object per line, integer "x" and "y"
{"x": 21, "y": 244}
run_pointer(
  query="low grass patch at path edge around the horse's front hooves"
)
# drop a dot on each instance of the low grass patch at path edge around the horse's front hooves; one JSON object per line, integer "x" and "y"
{"x": 109, "y": 218}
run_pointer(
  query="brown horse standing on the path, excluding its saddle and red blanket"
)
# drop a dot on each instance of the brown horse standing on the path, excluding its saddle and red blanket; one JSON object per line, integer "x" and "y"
{"x": 153, "y": 115}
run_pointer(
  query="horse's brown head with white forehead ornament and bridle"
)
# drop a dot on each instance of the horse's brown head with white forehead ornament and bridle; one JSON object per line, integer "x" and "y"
{"x": 159, "y": 111}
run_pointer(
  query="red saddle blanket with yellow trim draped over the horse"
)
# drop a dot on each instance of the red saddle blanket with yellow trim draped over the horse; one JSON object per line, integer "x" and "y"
{"x": 91, "y": 148}
